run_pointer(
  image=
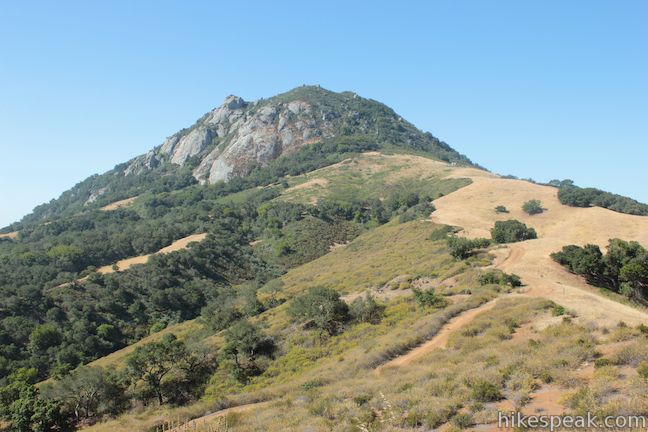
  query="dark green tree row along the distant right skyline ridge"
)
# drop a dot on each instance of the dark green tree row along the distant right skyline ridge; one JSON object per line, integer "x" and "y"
{"x": 572, "y": 195}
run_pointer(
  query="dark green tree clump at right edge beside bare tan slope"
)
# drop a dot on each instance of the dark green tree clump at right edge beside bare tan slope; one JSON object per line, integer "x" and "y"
{"x": 624, "y": 268}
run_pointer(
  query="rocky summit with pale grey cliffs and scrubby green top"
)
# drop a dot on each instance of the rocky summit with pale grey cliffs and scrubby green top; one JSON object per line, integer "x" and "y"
{"x": 238, "y": 135}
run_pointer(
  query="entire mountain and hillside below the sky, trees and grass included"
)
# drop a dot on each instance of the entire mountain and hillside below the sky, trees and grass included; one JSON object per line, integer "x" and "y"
{"x": 312, "y": 261}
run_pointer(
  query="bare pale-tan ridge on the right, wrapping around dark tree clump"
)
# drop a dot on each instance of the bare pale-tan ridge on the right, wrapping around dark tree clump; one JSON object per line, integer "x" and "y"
{"x": 472, "y": 208}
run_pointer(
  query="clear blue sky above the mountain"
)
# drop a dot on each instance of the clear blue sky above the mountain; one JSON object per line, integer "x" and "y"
{"x": 541, "y": 89}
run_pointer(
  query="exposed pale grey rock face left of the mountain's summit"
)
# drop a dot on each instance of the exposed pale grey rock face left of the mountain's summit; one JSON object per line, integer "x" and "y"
{"x": 238, "y": 135}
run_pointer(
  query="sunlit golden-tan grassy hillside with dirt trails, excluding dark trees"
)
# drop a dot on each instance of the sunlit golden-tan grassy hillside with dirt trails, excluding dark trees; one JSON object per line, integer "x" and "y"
{"x": 420, "y": 366}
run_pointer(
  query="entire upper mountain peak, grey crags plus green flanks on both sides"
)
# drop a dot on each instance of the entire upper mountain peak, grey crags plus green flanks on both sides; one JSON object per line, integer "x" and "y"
{"x": 237, "y": 136}
